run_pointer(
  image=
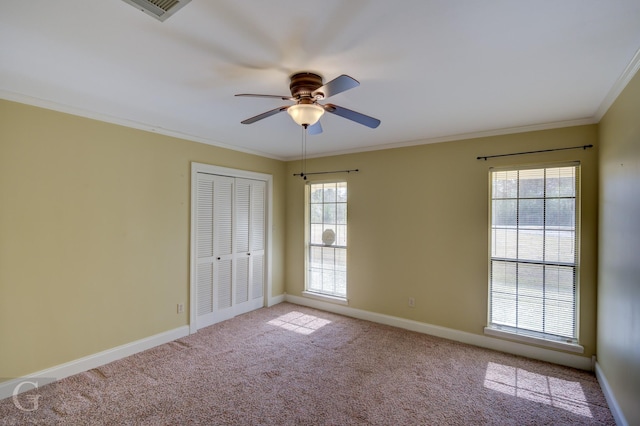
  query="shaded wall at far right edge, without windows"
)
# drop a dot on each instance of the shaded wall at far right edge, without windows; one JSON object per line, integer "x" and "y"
{"x": 619, "y": 254}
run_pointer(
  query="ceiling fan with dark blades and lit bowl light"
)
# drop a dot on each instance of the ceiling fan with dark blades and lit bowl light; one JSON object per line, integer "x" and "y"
{"x": 306, "y": 90}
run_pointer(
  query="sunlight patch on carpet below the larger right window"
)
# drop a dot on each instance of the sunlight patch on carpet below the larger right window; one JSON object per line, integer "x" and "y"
{"x": 537, "y": 387}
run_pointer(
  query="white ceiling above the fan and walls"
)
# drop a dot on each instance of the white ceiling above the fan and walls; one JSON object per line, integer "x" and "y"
{"x": 429, "y": 70}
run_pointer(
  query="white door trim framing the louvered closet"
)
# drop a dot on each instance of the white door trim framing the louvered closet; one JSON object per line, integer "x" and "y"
{"x": 234, "y": 173}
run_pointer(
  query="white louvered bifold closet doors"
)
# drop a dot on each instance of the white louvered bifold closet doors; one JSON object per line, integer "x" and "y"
{"x": 230, "y": 247}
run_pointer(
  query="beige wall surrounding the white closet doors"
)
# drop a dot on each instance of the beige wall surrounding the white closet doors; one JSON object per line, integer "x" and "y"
{"x": 94, "y": 234}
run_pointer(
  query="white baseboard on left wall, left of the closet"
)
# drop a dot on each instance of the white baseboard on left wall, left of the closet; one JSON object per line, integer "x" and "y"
{"x": 93, "y": 361}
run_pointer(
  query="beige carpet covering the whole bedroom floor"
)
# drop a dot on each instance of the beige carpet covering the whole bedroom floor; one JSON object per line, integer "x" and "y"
{"x": 291, "y": 365}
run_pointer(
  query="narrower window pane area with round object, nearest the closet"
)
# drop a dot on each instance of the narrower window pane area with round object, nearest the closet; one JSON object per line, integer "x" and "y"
{"x": 327, "y": 239}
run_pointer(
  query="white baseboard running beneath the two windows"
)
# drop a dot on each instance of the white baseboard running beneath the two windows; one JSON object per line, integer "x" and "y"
{"x": 535, "y": 352}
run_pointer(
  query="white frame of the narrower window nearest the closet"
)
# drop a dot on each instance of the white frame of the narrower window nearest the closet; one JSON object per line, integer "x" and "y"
{"x": 314, "y": 293}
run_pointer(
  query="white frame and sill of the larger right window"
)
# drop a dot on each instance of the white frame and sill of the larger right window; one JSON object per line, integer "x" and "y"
{"x": 523, "y": 335}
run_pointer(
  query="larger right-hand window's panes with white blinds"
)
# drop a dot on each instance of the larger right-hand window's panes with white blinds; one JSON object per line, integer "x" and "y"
{"x": 534, "y": 256}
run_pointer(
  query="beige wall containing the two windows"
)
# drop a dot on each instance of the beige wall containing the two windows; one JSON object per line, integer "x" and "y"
{"x": 418, "y": 220}
